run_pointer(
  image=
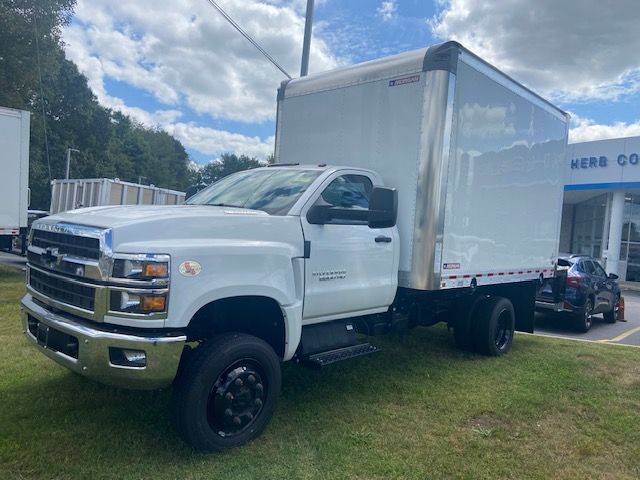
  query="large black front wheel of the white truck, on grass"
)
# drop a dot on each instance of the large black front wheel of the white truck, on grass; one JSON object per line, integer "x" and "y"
{"x": 226, "y": 392}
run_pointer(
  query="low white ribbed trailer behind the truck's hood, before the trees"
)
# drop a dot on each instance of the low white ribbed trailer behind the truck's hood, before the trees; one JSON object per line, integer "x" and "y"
{"x": 96, "y": 192}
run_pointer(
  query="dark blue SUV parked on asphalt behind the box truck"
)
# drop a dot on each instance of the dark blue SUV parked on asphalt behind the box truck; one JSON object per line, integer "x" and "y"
{"x": 587, "y": 291}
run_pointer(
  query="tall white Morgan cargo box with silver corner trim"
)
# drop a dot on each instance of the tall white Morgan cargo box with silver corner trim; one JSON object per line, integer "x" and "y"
{"x": 477, "y": 159}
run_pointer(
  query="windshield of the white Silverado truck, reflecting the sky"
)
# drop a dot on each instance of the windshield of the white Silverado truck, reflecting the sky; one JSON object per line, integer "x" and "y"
{"x": 273, "y": 191}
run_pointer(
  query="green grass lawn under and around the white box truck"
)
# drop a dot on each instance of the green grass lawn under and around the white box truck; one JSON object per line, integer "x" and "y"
{"x": 418, "y": 409}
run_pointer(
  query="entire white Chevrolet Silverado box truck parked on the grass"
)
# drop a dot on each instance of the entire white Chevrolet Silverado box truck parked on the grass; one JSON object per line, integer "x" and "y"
{"x": 420, "y": 188}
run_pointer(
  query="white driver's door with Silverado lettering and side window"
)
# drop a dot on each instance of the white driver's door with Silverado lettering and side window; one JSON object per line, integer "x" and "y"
{"x": 351, "y": 269}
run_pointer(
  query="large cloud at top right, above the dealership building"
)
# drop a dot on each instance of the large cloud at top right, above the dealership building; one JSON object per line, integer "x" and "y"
{"x": 570, "y": 51}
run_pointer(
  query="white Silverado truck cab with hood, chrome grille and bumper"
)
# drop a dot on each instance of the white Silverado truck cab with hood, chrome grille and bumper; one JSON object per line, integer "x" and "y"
{"x": 122, "y": 294}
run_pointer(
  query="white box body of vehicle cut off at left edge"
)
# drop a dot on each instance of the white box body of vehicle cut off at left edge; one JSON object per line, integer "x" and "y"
{"x": 14, "y": 175}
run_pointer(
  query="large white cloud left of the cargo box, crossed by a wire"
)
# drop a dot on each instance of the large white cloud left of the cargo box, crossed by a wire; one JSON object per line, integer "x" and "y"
{"x": 184, "y": 52}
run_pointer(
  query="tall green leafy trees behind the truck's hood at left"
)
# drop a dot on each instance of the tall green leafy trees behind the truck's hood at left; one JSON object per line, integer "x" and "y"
{"x": 110, "y": 143}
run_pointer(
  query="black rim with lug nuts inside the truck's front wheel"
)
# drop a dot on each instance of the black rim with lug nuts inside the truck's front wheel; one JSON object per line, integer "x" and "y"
{"x": 236, "y": 398}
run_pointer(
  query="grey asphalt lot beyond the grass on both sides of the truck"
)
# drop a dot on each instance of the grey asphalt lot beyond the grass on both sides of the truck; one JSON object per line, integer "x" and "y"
{"x": 626, "y": 333}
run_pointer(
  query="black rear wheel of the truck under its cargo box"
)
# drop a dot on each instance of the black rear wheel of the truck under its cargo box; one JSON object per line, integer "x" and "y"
{"x": 495, "y": 326}
